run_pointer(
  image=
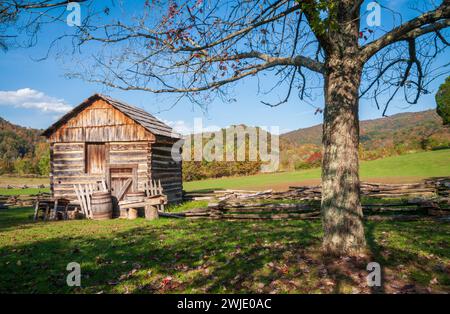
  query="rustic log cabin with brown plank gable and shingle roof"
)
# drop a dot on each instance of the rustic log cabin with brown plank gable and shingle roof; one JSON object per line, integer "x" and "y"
{"x": 106, "y": 139}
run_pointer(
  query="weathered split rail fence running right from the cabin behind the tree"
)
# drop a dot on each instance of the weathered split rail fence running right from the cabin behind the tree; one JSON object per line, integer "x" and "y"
{"x": 409, "y": 202}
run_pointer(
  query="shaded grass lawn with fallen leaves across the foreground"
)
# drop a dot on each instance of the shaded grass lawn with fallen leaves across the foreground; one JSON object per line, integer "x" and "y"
{"x": 171, "y": 255}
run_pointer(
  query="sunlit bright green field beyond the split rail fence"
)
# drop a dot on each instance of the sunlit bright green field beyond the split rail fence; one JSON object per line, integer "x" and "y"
{"x": 398, "y": 168}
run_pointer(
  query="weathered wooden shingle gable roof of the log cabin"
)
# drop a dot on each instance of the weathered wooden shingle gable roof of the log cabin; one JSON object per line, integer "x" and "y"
{"x": 140, "y": 116}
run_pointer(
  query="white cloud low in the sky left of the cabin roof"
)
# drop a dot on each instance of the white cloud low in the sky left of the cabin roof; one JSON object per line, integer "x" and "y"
{"x": 32, "y": 99}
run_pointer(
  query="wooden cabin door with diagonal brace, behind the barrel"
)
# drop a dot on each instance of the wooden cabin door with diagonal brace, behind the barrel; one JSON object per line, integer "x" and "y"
{"x": 122, "y": 179}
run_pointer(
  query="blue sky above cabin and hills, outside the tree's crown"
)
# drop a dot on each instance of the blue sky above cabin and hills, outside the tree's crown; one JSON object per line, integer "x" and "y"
{"x": 46, "y": 94}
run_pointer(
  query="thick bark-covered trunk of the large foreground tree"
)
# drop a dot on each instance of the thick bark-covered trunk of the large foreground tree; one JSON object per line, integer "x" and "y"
{"x": 341, "y": 208}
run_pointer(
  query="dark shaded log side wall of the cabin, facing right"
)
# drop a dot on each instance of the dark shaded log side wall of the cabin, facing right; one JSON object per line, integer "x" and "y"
{"x": 166, "y": 169}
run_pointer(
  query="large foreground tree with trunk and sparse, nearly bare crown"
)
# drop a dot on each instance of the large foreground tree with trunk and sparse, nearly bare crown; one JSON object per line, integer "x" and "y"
{"x": 199, "y": 49}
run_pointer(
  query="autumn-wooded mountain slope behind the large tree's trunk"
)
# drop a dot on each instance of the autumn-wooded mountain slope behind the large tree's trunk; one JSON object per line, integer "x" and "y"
{"x": 397, "y": 134}
